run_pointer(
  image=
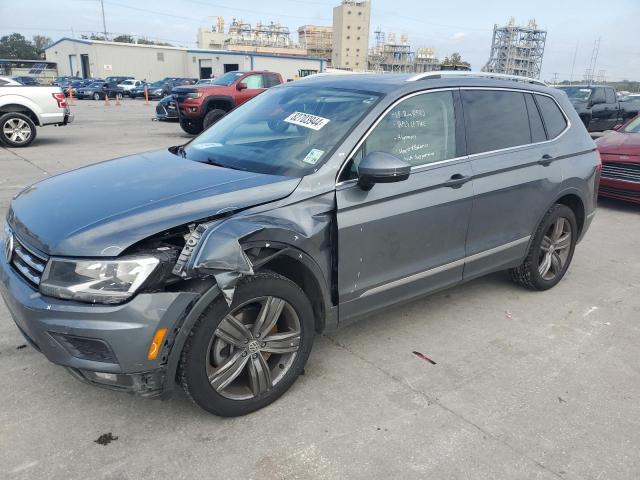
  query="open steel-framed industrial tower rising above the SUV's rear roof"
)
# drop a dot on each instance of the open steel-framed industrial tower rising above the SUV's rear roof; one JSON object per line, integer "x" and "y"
{"x": 517, "y": 50}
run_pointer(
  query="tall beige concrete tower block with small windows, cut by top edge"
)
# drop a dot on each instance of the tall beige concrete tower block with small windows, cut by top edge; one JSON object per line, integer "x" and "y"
{"x": 351, "y": 35}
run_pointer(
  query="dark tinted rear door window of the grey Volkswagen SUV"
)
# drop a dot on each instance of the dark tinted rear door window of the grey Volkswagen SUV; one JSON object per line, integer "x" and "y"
{"x": 495, "y": 119}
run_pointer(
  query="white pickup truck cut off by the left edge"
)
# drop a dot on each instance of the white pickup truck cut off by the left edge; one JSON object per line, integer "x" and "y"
{"x": 24, "y": 107}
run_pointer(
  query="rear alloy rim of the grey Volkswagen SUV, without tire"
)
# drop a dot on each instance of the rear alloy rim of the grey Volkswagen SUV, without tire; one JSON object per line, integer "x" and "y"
{"x": 555, "y": 249}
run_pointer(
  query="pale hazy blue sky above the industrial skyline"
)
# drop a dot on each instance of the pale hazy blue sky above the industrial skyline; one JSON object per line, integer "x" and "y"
{"x": 463, "y": 26}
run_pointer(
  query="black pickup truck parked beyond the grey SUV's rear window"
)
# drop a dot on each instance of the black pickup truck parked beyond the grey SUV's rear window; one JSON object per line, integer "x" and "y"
{"x": 599, "y": 107}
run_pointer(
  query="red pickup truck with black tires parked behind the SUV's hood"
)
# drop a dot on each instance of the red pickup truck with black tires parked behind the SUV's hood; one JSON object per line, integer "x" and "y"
{"x": 200, "y": 106}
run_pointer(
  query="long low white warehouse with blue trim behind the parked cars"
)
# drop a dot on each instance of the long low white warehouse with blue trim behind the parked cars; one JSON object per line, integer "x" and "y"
{"x": 100, "y": 59}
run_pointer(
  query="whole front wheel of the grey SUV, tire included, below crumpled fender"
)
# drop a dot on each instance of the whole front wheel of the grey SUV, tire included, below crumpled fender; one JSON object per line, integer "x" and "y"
{"x": 241, "y": 358}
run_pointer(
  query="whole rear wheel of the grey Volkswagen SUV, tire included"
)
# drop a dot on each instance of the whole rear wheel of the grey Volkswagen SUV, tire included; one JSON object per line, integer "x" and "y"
{"x": 550, "y": 252}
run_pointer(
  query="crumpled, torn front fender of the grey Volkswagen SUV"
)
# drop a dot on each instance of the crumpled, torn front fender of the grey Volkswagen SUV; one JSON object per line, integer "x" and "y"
{"x": 304, "y": 225}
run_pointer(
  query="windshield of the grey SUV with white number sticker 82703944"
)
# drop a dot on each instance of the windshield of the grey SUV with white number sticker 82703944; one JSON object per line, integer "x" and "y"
{"x": 285, "y": 131}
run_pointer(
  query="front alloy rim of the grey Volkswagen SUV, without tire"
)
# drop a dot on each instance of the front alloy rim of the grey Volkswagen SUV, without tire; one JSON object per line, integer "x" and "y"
{"x": 253, "y": 348}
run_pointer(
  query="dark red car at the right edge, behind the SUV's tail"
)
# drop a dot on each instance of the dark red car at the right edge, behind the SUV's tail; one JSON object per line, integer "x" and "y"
{"x": 620, "y": 152}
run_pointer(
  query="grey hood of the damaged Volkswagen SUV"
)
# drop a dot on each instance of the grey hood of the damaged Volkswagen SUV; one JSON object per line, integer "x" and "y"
{"x": 102, "y": 209}
